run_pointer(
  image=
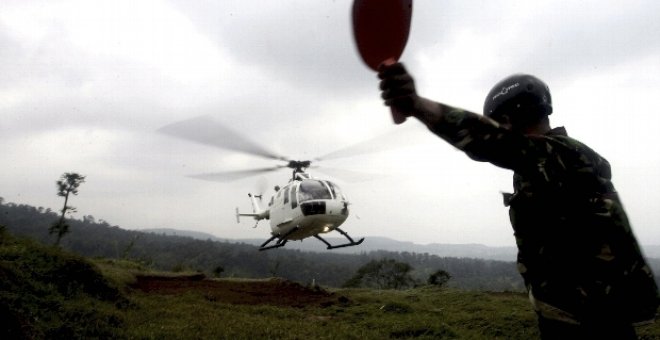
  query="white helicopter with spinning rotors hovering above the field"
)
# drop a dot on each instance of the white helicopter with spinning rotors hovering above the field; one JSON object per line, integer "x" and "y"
{"x": 304, "y": 207}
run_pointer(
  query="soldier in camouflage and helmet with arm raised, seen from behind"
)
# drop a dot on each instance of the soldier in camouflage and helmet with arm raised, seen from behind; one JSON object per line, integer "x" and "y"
{"x": 577, "y": 254}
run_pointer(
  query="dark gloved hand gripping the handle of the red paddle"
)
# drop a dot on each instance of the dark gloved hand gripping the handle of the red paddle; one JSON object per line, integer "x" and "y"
{"x": 398, "y": 89}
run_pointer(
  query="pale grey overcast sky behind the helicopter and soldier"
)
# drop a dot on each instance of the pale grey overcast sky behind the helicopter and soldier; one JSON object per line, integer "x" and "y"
{"x": 86, "y": 85}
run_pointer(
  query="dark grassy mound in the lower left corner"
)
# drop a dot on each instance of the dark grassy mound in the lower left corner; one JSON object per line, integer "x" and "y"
{"x": 43, "y": 288}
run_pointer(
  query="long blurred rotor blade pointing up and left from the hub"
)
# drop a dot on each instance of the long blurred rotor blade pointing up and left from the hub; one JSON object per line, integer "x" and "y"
{"x": 206, "y": 130}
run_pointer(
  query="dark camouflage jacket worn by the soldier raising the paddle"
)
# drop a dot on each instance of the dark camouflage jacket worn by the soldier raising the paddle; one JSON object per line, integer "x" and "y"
{"x": 576, "y": 251}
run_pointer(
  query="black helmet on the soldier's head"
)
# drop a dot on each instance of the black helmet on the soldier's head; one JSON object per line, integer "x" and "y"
{"x": 519, "y": 94}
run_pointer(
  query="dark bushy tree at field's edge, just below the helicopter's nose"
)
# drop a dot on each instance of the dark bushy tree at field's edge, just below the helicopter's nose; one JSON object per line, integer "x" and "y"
{"x": 383, "y": 274}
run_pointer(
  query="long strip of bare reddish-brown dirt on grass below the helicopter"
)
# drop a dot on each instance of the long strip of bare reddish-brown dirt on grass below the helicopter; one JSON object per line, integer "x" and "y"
{"x": 274, "y": 291}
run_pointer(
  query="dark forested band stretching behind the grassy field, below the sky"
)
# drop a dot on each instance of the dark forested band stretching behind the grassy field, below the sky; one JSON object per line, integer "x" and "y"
{"x": 98, "y": 239}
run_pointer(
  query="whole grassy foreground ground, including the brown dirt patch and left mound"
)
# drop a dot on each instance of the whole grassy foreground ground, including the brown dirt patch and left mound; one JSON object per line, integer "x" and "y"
{"x": 46, "y": 293}
